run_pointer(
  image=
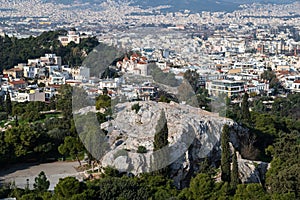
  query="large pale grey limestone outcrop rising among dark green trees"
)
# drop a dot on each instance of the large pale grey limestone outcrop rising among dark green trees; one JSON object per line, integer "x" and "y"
{"x": 193, "y": 134}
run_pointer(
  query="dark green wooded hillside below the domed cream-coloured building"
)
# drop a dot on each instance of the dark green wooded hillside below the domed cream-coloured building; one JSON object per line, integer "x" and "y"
{"x": 14, "y": 51}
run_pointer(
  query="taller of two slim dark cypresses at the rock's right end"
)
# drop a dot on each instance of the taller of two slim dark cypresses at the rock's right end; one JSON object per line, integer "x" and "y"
{"x": 225, "y": 155}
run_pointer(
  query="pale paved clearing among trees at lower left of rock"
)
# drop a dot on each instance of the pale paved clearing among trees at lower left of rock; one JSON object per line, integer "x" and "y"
{"x": 54, "y": 171}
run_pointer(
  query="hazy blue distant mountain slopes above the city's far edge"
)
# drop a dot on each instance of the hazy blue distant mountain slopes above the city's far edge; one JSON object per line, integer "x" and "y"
{"x": 193, "y": 5}
